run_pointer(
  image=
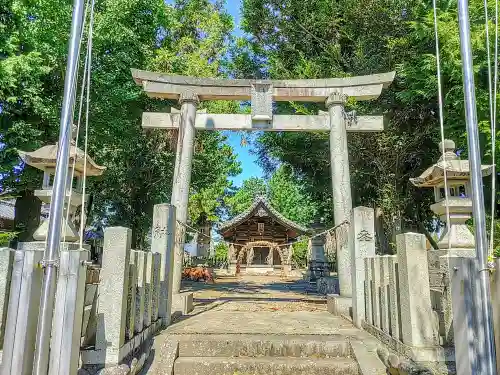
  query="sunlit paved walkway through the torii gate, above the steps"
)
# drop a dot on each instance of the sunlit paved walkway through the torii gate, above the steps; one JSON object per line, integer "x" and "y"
{"x": 259, "y": 305}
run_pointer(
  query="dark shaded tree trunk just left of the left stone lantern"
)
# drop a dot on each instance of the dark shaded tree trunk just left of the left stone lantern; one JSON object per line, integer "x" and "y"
{"x": 27, "y": 216}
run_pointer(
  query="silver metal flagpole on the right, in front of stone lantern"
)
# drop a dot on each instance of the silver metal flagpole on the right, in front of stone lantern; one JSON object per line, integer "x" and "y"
{"x": 484, "y": 325}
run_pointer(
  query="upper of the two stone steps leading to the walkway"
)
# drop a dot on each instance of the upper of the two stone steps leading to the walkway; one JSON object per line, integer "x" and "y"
{"x": 313, "y": 346}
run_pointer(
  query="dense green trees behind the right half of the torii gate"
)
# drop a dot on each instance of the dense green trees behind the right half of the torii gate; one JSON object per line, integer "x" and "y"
{"x": 321, "y": 39}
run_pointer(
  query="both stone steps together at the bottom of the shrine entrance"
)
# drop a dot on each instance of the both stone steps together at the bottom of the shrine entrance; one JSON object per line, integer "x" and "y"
{"x": 245, "y": 354}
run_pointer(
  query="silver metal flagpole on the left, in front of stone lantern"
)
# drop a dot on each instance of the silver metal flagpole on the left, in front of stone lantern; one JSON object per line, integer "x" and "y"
{"x": 51, "y": 255}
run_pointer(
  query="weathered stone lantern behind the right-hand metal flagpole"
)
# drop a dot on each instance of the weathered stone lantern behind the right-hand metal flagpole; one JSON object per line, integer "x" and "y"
{"x": 457, "y": 235}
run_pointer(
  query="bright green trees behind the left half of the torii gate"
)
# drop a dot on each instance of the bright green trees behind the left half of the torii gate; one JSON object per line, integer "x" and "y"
{"x": 190, "y": 37}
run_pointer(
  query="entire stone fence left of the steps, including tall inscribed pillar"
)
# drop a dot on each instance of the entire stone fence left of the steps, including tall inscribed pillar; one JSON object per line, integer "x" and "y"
{"x": 103, "y": 316}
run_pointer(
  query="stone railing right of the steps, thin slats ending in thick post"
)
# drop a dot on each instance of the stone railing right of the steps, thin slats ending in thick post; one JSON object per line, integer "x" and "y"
{"x": 398, "y": 308}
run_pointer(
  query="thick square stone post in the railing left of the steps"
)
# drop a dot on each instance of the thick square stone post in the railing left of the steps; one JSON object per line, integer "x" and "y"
{"x": 113, "y": 292}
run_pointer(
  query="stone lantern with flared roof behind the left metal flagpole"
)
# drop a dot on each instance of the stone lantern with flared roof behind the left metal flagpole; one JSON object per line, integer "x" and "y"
{"x": 45, "y": 159}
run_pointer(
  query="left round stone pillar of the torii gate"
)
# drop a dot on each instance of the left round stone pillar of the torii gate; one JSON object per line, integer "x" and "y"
{"x": 182, "y": 177}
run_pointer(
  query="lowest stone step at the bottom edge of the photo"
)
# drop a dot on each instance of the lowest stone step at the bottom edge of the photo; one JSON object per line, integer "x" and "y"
{"x": 264, "y": 366}
